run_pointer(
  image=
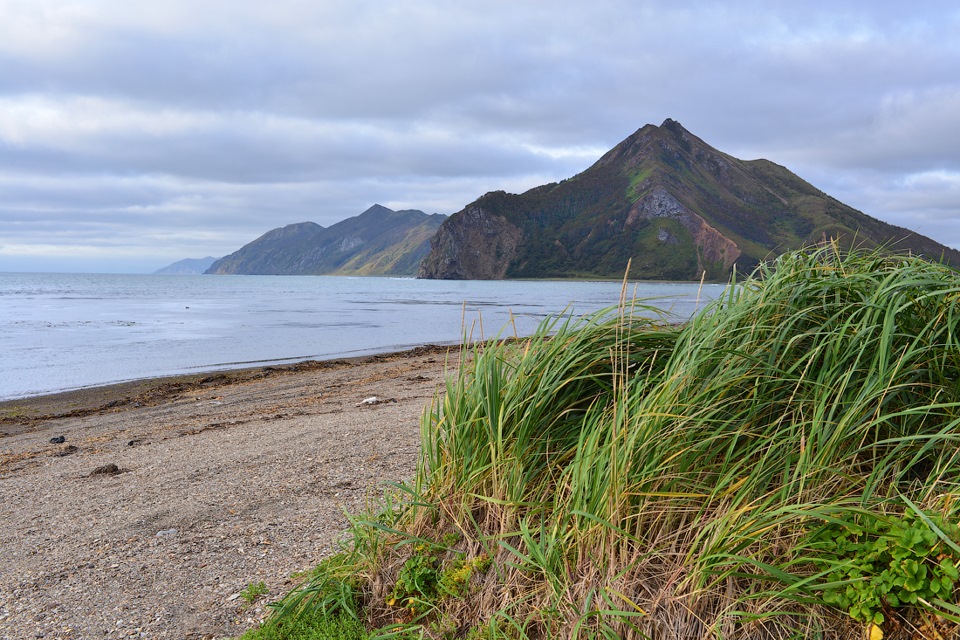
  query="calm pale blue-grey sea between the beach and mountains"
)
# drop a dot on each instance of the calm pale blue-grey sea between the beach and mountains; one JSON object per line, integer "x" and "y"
{"x": 67, "y": 331}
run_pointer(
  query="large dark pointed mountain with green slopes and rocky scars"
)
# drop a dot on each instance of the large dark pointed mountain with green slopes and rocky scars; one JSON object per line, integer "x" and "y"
{"x": 664, "y": 199}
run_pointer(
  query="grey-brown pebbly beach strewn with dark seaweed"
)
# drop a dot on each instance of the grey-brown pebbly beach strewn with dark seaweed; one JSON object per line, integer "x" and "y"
{"x": 147, "y": 509}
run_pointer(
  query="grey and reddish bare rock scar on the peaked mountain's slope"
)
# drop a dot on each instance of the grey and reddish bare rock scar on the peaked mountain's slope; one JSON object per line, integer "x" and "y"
{"x": 713, "y": 248}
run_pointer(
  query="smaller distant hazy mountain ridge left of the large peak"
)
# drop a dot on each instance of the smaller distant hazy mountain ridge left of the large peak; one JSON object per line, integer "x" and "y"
{"x": 379, "y": 241}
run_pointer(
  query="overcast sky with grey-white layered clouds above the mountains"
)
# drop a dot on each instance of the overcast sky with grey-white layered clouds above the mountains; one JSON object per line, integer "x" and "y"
{"x": 136, "y": 133}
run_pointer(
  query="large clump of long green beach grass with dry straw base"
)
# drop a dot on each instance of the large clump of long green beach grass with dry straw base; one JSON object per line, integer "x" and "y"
{"x": 785, "y": 465}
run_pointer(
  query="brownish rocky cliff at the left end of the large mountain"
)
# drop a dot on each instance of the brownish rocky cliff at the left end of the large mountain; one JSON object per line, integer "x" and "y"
{"x": 475, "y": 245}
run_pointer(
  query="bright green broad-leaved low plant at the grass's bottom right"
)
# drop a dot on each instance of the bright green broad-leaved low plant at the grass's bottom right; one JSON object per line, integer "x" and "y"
{"x": 888, "y": 562}
